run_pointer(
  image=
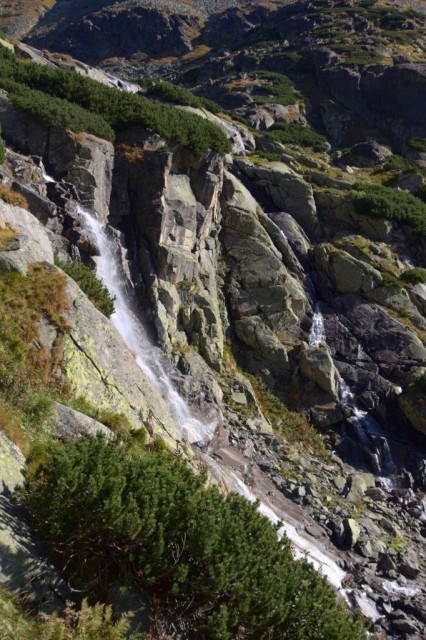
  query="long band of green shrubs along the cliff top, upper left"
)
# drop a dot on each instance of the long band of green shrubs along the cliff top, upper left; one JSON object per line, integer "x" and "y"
{"x": 118, "y": 109}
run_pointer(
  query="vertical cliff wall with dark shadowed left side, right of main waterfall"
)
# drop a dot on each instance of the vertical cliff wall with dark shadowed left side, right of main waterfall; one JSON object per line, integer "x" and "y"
{"x": 172, "y": 209}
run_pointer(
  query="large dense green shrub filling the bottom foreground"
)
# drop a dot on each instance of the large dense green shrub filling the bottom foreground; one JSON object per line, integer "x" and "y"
{"x": 212, "y": 561}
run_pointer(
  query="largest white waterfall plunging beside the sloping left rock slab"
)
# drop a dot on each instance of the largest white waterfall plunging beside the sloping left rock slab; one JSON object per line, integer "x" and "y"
{"x": 125, "y": 320}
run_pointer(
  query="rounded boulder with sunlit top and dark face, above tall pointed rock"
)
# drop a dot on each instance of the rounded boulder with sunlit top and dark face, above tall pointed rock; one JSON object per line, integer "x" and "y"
{"x": 285, "y": 190}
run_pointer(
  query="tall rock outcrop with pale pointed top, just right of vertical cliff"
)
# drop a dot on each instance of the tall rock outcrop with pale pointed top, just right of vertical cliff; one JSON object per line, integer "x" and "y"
{"x": 267, "y": 303}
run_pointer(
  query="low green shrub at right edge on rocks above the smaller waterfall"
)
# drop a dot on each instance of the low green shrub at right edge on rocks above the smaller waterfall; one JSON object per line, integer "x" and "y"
{"x": 385, "y": 202}
